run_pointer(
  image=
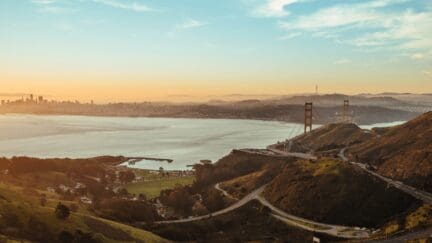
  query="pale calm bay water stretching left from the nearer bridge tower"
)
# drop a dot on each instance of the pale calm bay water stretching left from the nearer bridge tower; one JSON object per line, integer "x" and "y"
{"x": 186, "y": 141}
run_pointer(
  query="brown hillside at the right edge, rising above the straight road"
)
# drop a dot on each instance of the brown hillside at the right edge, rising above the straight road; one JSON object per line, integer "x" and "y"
{"x": 403, "y": 152}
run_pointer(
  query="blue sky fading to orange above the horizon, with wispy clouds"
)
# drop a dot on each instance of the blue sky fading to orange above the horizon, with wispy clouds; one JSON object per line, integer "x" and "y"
{"x": 136, "y": 50}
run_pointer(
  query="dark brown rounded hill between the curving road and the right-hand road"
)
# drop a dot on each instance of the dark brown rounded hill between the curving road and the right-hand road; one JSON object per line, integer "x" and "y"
{"x": 335, "y": 192}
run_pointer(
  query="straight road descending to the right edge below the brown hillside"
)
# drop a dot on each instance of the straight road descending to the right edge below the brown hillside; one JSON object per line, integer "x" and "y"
{"x": 419, "y": 194}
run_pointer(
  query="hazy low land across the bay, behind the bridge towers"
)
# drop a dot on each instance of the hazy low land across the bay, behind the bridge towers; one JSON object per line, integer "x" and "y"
{"x": 276, "y": 110}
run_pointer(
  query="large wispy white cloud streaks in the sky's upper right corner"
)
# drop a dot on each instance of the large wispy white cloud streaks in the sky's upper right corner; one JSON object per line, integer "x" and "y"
{"x": 370, "y": 24}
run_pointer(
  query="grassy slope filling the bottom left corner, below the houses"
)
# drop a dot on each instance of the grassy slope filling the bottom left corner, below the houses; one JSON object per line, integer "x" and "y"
{"x": 22, "y": 217}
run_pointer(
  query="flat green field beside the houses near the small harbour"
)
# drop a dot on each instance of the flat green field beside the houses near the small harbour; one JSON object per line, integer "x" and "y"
{"x": 152, "y": 188}
